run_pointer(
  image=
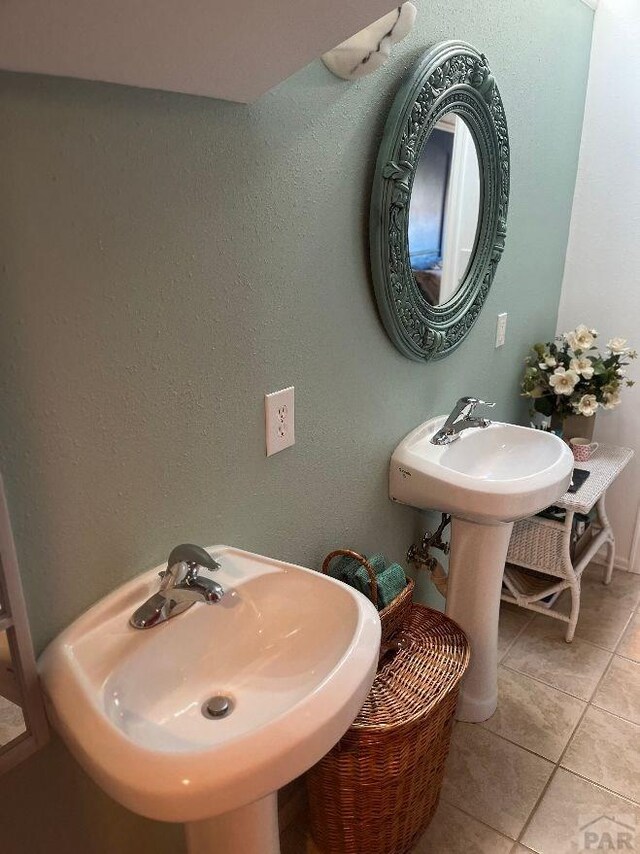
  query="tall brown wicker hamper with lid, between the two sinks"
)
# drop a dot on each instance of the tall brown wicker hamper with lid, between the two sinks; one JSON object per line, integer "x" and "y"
{"x": 376, "y": 791}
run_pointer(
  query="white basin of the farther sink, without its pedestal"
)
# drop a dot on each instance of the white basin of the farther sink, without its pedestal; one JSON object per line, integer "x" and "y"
{"x": 498, "y": 473}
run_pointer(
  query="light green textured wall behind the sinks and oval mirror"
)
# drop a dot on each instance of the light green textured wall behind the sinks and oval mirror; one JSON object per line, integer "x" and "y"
{"x": 166, "y": 260}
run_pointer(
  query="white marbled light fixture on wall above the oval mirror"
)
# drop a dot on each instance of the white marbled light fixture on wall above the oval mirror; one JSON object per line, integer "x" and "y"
{"x": 370, "y": 48}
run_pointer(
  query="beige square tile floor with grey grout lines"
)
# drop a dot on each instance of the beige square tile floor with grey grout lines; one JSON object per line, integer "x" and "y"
{"x": 556, "y": 770}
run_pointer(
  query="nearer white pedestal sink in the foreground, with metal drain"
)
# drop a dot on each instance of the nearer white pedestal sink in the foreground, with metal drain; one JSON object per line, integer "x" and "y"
{"x": 294, "y": 650}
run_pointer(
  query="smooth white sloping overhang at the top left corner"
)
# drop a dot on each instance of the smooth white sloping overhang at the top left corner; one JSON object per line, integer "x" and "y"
{"x": 235, "y": 50}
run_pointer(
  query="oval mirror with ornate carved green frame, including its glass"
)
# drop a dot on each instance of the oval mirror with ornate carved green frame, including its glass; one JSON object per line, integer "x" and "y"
{"x": 439, "y": 202}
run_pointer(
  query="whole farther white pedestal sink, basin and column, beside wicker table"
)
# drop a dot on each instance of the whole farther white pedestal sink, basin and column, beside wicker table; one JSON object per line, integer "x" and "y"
{"x": 487, "y": 479}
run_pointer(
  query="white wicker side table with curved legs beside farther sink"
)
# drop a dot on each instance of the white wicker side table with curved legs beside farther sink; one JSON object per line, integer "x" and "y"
{"x": 544, "y": 545}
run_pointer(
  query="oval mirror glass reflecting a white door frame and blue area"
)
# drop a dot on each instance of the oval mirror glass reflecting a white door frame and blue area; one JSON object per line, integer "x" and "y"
{"x": 444, "y": 209}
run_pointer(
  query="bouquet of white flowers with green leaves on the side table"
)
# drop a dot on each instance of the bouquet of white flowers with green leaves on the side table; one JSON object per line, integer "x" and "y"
{"x": 569, "y": 376}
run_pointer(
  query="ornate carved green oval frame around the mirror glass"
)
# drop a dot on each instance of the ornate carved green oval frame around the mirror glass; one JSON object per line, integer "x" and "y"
{"x": 451, "y": 77}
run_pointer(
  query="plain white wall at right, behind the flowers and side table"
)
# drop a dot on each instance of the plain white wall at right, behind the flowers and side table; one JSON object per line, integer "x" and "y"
{"x": 600, "y": 286}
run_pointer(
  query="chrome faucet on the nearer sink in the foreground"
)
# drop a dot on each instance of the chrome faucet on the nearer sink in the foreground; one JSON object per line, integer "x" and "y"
{"x": 180, "y": 587}
